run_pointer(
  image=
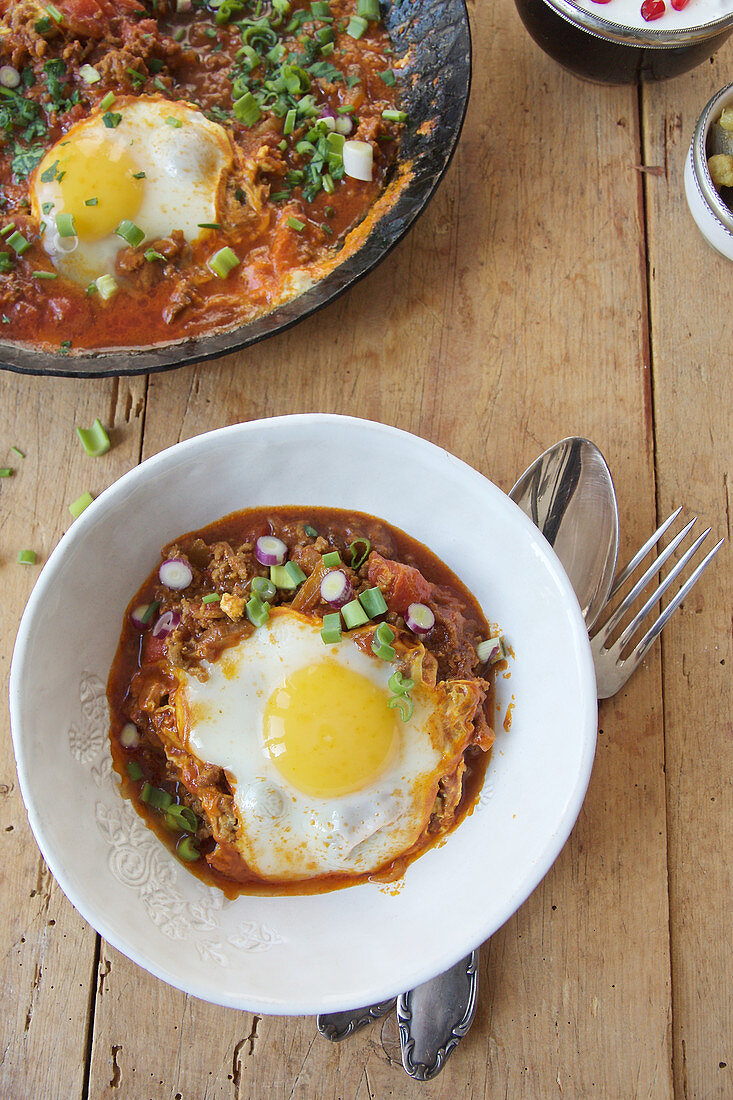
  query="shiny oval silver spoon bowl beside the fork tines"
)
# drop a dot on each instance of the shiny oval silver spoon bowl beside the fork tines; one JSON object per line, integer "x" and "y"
{"x": 568, "y": 494}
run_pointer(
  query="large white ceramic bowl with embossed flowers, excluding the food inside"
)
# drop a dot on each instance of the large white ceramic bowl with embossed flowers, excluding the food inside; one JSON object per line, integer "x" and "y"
{"x": 354, "y": 947}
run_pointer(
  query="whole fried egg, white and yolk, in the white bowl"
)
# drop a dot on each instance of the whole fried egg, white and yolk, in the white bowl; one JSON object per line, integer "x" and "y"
{"x": 327, "y": 777}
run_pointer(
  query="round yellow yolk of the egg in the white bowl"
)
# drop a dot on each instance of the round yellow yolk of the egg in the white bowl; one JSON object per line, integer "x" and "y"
{"x": 329, "y": 730}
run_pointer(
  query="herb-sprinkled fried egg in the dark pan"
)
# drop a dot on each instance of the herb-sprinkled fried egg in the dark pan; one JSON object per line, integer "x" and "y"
{"x": 158, "y": 164}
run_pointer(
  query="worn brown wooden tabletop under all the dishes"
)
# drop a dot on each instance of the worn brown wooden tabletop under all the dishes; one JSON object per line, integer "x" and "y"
{"x": 556, "y": 285}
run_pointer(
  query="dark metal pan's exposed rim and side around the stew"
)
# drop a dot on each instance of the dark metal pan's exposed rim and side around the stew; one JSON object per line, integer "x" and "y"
{"x": 435, "y": 38}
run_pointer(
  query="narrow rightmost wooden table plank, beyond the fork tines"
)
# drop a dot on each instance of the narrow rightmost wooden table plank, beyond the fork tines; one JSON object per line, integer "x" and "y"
{"x": 692, "y": 304}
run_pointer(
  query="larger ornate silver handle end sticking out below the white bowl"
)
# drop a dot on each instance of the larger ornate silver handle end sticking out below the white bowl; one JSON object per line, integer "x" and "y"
{"x": 435, "y": 1017}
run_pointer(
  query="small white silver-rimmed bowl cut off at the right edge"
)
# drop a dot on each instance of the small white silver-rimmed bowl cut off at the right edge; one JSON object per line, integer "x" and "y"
{"x": 712, "y": 216}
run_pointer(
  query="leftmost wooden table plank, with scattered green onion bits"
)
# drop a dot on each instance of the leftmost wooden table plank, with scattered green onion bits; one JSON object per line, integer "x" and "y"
{"x": 47, "y": 974}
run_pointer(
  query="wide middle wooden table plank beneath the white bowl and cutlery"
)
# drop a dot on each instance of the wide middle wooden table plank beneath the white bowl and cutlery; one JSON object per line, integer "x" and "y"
{"x": 513, "y": 315}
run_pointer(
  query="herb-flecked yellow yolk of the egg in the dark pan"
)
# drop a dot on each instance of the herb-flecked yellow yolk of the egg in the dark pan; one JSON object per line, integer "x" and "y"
{"x": 96, "y": 184}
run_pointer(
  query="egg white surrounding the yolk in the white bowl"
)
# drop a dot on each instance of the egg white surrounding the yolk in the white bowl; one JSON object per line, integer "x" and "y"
{"x": 286, "y": 834}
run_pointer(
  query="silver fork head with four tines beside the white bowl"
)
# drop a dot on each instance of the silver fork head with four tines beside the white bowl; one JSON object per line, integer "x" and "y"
{"x": 612, "y": 670}
